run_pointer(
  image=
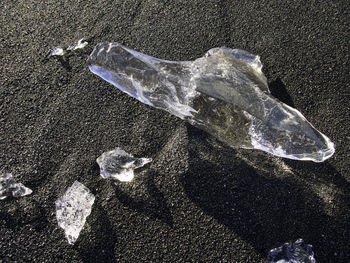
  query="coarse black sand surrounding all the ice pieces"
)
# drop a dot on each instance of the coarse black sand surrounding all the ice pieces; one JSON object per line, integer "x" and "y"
{"x": 199, "y": 200}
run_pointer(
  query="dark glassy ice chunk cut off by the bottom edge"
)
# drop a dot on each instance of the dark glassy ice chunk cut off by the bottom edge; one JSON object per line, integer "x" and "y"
{"x": 297, "y": 252}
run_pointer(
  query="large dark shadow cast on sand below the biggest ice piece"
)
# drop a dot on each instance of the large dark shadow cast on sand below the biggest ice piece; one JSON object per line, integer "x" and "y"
{"x": 262, "y": 208}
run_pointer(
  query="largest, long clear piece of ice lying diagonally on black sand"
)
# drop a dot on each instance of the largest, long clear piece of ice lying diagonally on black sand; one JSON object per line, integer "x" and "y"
{"x": 224, "y": 93}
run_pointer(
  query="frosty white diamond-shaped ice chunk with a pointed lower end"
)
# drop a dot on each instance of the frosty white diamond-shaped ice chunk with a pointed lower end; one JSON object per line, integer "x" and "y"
{"x": 72, "y": 209}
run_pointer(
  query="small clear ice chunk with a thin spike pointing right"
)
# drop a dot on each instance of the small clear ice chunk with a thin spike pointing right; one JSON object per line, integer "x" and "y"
{"x": 119, "y": 164}
